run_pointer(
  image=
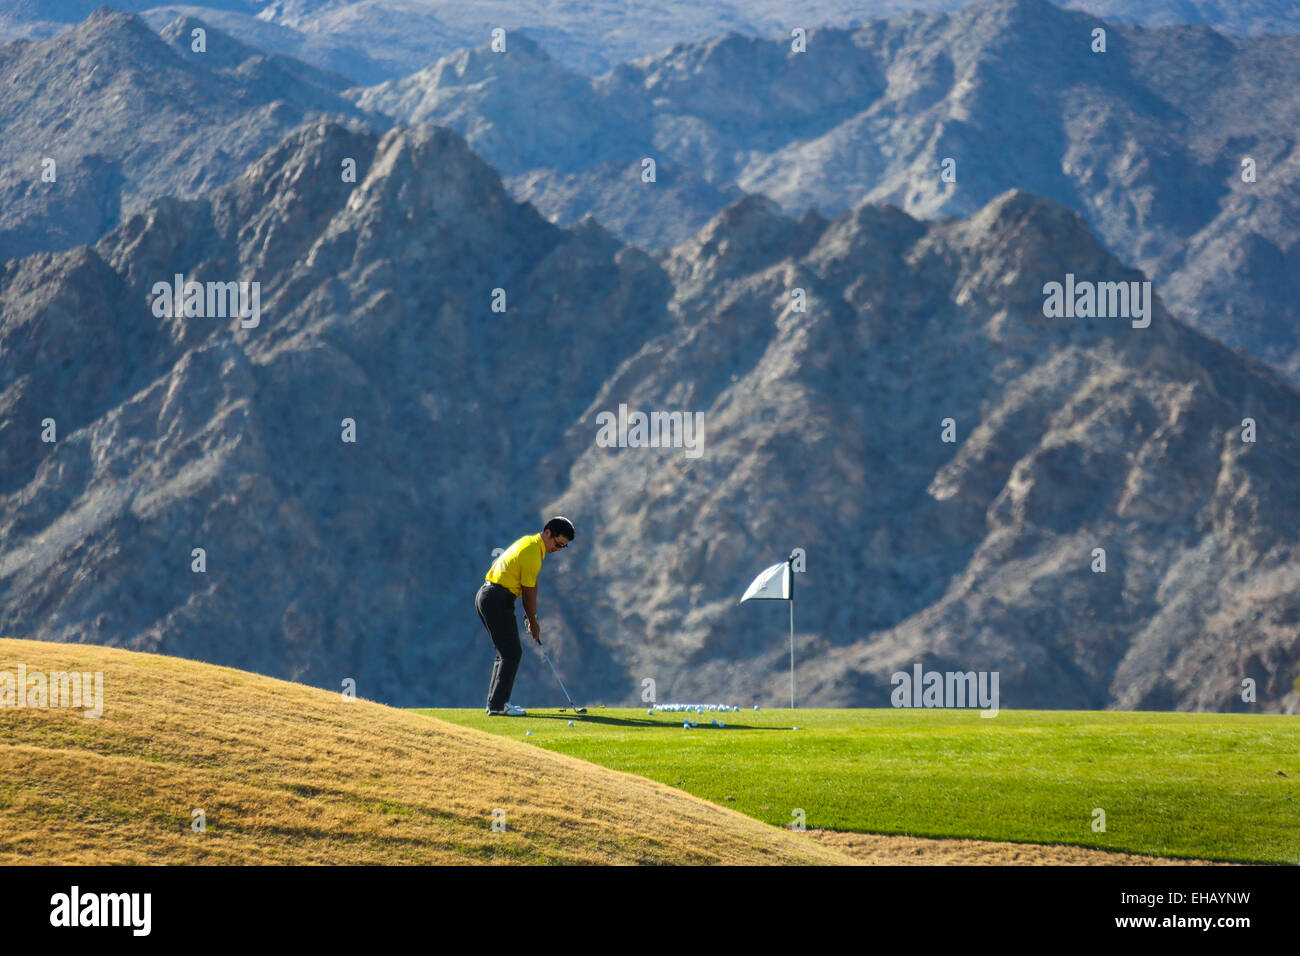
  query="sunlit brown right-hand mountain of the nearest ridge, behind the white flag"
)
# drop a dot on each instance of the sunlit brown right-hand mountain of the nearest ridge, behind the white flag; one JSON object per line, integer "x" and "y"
{"x": 825, "y": 434}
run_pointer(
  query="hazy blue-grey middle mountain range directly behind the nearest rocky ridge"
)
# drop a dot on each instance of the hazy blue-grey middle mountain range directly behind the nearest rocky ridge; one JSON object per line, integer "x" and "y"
{"x": 1146, "y": 141}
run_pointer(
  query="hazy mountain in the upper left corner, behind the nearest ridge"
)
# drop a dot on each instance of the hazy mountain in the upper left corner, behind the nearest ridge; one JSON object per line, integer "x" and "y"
{"x": 103, "y": 119}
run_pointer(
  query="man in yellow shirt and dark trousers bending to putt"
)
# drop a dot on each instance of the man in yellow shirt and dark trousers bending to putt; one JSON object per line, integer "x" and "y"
{"x": 514, "y": 574}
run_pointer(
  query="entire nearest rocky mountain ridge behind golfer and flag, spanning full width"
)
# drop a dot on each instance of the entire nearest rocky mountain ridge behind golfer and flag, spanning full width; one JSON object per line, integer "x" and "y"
{"x": 821, "y": 427}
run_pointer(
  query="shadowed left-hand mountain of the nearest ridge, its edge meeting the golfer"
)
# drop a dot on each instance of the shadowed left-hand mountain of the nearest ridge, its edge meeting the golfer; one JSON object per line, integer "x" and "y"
{"x": 326, "y": 560}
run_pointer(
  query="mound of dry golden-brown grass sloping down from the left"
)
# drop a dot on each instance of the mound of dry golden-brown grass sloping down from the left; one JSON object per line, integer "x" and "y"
{"x": 291, "y": 775}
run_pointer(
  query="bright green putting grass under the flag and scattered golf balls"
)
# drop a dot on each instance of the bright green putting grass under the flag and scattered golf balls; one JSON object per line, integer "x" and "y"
{"x": 1210, "y": 786}
